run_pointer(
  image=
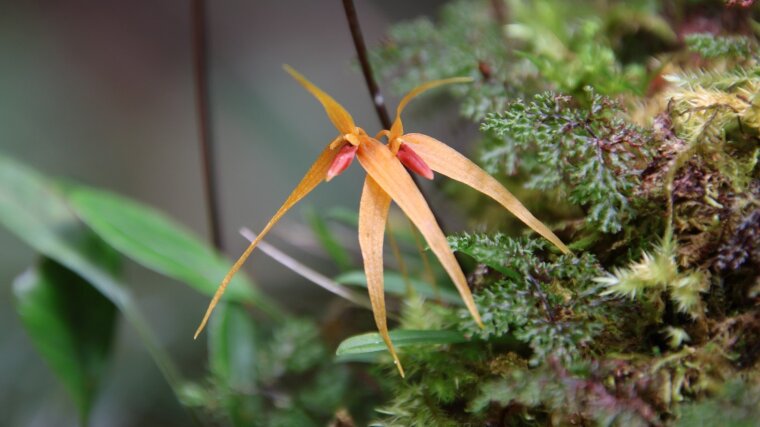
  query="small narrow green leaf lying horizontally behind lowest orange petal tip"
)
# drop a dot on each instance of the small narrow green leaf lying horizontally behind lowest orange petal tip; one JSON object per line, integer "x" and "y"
{"x": 372, "y": 342}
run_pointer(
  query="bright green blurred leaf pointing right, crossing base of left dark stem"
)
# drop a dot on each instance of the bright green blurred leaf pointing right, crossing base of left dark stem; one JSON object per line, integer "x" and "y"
{"x": 158, "y": 243}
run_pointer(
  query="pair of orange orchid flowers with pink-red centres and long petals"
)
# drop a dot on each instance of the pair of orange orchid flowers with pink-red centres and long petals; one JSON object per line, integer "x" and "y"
{"x": 387, "y": 180}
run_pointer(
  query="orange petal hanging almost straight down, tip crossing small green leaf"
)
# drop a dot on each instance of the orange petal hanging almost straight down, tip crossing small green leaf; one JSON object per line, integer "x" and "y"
{"x": 373, "y": 215}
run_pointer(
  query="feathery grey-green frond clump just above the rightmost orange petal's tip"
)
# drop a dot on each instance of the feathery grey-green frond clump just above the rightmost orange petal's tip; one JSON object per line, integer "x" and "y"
{"x": 591, "y": 155}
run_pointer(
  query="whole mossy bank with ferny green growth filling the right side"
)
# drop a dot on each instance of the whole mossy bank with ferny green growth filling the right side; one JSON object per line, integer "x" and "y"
{"x": 656, "y": 312}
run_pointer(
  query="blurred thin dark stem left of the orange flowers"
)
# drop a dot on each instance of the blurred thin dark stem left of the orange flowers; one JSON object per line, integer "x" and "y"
{"x": 202, "y": 95}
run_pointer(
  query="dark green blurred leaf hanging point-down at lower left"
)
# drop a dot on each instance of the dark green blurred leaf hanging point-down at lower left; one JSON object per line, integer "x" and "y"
{"x": 74, "y": 342}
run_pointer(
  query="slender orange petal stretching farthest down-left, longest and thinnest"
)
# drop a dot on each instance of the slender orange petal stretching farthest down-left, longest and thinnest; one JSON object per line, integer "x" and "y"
{"x": 313, "y": 177}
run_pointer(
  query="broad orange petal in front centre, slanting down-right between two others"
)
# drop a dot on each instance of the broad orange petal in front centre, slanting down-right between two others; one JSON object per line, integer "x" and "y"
{"x": 388, "y": 173}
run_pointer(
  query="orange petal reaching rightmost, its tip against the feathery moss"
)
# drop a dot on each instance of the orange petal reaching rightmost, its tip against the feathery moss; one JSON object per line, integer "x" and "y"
{"x": 447, "y": 161}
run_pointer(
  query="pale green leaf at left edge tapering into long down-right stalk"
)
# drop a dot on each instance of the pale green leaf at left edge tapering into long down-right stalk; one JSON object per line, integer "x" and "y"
{"x": 37, "y": 214}
